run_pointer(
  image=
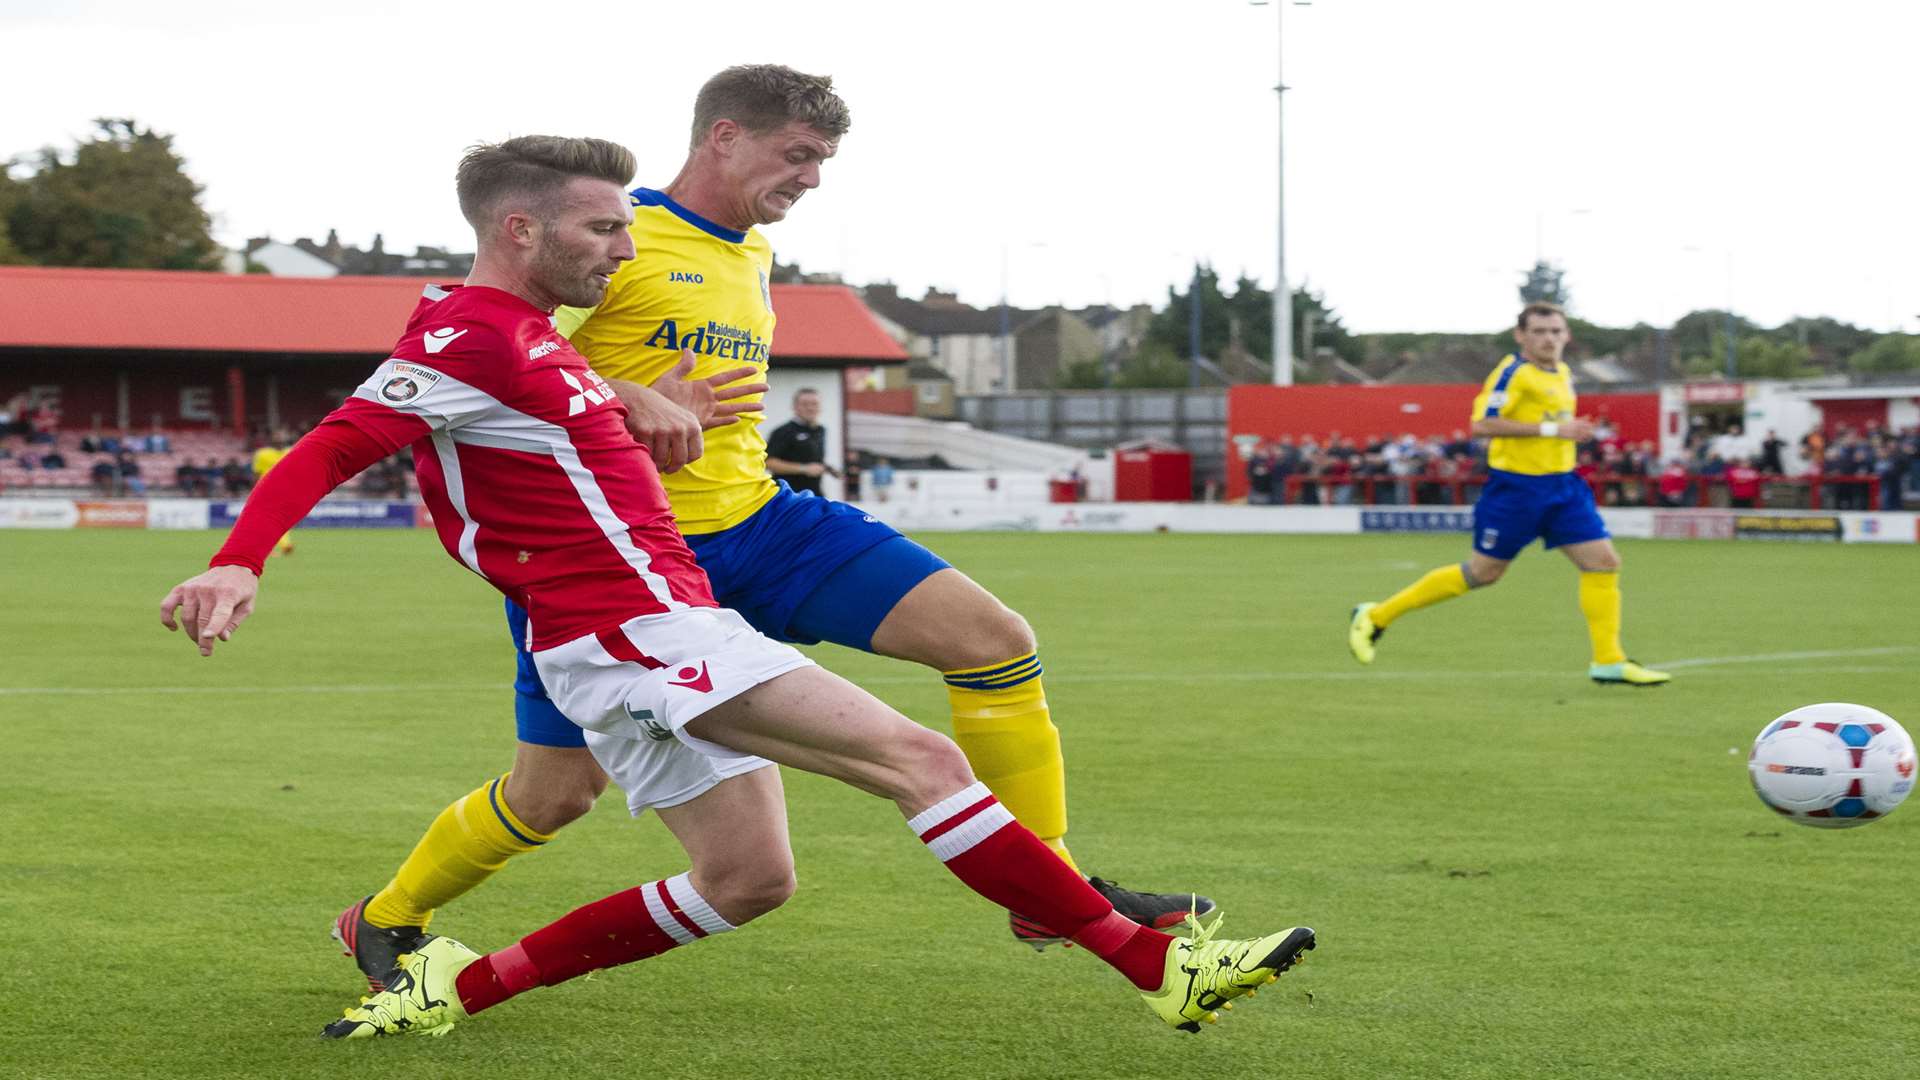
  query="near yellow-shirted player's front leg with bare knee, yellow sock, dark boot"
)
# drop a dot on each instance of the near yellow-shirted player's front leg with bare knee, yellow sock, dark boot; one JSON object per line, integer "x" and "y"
{"x": 1003, "y": 725}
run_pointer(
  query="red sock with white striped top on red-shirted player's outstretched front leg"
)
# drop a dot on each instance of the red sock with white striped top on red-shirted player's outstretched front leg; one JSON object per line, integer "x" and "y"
{"x": 1007, "y": 864}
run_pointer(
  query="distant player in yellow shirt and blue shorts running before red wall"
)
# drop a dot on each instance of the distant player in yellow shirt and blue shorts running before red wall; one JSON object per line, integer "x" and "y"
{"x": 1527, "y": 412}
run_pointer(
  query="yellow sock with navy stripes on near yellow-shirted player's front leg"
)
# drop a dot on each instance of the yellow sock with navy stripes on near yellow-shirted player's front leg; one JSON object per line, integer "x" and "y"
{"x": 1003, "y": 727}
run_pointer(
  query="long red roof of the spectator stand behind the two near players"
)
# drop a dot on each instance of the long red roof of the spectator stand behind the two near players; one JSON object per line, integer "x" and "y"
{"x": 218, "y": 312}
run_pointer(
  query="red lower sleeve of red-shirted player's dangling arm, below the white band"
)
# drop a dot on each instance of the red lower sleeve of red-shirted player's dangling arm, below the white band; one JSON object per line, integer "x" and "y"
{"x": 327, "y": 458}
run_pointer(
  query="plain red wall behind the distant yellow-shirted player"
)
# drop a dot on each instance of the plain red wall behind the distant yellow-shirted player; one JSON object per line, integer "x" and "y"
{"x": 1362, "y": 412}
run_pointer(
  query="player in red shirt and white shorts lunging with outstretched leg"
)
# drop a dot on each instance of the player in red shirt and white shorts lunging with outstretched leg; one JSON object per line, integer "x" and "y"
{"x": 539, "y": 489}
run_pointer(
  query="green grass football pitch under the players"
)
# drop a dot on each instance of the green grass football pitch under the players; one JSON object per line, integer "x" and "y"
{"x": 1516, "y": 873}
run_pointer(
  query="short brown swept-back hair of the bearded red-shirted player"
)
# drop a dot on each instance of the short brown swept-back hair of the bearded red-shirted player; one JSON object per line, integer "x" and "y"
{"x": 535, "y": 168}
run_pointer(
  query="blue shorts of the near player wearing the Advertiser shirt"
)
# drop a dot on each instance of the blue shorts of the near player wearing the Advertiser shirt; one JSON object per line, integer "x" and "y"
{"x": 802, "y": 570}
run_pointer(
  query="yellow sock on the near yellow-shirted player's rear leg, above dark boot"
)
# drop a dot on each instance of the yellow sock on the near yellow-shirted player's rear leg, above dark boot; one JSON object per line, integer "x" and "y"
{"x": 466, "y": 847}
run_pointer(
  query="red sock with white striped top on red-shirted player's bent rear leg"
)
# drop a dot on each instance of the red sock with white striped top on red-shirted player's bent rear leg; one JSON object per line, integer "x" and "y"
{"x": 615, "y": 931}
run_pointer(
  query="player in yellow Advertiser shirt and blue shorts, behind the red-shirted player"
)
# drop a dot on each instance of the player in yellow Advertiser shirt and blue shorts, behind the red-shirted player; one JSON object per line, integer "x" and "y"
{"x": 694, "y": 314}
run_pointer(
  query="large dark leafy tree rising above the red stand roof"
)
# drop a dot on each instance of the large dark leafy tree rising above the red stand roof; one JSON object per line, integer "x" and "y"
{"x": 124, "y": 201}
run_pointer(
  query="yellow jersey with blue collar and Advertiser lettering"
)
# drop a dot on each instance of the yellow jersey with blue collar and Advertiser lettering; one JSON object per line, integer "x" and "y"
{"x": 692, "y": 285}
